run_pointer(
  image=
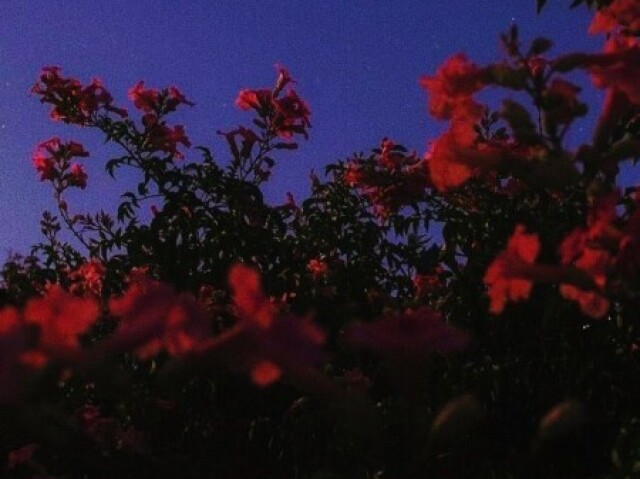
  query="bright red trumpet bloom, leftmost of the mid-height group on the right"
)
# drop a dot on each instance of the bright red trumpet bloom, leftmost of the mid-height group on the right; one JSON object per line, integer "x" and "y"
{"x": 504, "y": 277}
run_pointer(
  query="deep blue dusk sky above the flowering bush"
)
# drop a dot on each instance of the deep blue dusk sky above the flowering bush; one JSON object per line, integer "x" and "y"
{"x": 357, "y": 63}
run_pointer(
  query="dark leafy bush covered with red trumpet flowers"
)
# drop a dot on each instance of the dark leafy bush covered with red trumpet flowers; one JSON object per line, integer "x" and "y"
{"x": 469, "y": 312}
